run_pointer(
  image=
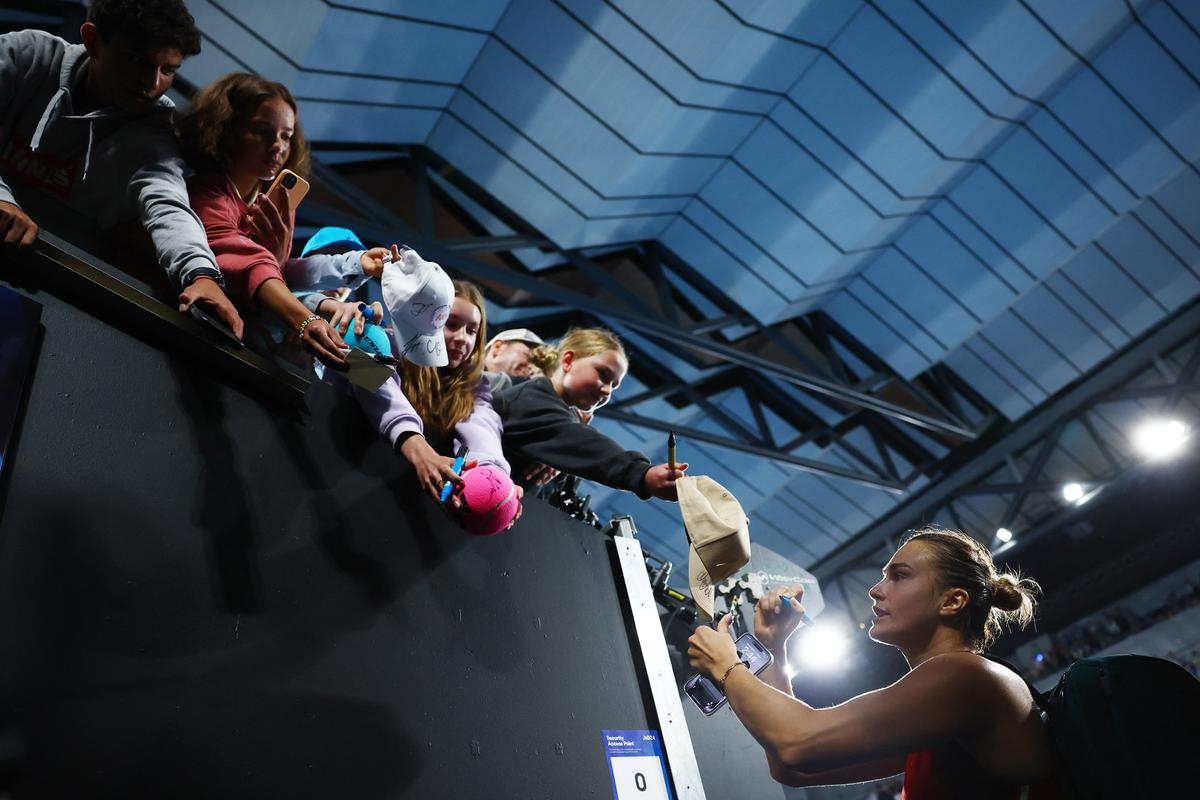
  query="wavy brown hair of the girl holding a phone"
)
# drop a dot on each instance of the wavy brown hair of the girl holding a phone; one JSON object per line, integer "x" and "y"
{"x": 209, "y": 129}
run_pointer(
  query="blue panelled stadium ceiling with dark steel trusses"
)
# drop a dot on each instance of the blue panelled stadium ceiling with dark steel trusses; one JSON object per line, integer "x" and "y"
{"x": 856, "y": 248}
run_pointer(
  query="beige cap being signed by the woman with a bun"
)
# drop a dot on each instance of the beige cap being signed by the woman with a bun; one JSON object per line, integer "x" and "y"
{"x": 718, "y": 533}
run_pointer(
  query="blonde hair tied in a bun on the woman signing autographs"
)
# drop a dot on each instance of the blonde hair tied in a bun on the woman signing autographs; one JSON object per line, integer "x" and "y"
{"x": 995, "y": 600}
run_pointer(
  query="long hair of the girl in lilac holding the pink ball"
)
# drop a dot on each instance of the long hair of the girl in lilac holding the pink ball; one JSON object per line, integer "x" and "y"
{"x": 446, "y": 398}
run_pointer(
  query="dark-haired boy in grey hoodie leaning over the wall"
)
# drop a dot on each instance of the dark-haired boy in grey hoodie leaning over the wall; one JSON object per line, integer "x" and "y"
{"x": 91, "y": 127}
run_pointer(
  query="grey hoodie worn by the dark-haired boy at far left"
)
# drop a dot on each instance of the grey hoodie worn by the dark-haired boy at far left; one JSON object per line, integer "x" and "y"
{"x": 111, "y": 166}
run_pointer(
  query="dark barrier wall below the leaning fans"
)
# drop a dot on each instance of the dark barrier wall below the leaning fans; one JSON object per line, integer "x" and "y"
{"x": 207, "y": 597}
